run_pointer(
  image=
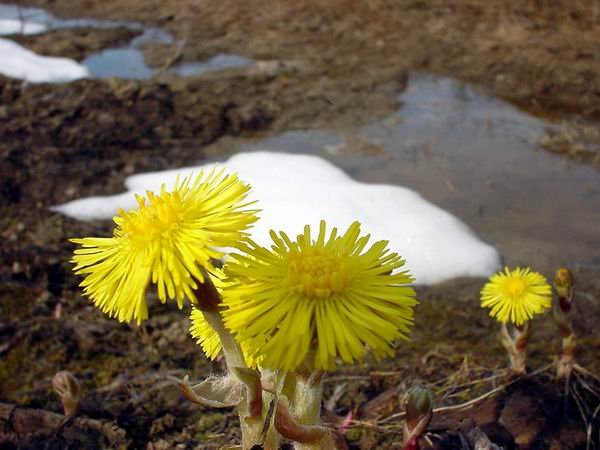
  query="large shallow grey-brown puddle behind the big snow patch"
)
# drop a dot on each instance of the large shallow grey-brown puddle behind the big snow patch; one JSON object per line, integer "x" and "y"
{"x": 477, "y": 157}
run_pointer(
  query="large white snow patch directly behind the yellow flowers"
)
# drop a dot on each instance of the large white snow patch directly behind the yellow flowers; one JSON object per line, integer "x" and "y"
{"x": 294, "y": 190}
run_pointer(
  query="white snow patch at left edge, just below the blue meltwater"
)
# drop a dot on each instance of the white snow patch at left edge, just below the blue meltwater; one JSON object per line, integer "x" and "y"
{"x": 18, "y": 62}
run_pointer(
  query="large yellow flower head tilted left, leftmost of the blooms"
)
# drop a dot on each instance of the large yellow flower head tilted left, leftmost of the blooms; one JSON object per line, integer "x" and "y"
{"x": 169, "y": 240}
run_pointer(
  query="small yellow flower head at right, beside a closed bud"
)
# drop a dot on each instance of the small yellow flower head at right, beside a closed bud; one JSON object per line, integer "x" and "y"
{"x": 516, "y": 296}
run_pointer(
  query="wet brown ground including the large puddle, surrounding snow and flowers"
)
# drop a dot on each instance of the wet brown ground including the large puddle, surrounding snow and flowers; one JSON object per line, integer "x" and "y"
{"x": 351, "y": 81}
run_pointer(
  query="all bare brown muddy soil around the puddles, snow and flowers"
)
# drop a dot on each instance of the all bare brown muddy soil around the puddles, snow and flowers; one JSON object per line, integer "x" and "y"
{"x": 323, "y": 64}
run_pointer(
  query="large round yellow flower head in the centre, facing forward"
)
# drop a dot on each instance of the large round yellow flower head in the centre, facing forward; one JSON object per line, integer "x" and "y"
{"x": 312, "y": 301}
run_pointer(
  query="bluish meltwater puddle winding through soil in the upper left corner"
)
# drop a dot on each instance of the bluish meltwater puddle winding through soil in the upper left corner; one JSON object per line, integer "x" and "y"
{"x": 123, "y": 62}
